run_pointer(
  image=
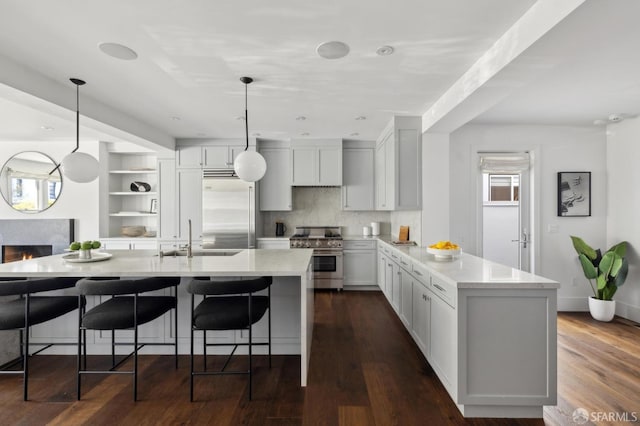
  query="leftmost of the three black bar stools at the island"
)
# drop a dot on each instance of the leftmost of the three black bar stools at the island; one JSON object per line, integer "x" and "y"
{"x": 27, "y": 310}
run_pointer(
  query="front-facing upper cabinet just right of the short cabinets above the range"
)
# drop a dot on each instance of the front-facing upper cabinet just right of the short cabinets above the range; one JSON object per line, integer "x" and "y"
{"x": 358, "y": 175}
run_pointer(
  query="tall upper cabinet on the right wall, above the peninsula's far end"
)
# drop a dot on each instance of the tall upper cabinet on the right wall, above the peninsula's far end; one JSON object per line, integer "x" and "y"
{"x": 398, "y": 169}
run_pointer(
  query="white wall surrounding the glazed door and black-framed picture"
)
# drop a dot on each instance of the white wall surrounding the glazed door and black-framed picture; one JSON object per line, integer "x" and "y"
{"x": 554, "y": 148}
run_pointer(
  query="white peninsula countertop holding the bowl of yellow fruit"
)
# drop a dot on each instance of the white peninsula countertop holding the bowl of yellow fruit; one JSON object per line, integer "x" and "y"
{"x": 468, "y": 271}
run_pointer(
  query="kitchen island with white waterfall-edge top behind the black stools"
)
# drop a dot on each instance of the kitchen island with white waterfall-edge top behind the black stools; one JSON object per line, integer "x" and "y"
{"x": 290, "y": 268}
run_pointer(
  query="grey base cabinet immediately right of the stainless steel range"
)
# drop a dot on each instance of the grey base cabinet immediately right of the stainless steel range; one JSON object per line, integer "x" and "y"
{"x": 359, "y": 259}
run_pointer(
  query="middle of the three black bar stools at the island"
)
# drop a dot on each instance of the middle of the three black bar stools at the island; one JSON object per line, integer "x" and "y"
{"x": 125, "y": 310}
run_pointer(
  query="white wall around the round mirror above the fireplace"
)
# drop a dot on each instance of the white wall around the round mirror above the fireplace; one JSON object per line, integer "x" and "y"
{"x": 77, "y": 201}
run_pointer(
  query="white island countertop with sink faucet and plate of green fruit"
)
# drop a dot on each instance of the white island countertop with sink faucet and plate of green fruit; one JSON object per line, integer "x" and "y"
{"x": 142, "y": 263}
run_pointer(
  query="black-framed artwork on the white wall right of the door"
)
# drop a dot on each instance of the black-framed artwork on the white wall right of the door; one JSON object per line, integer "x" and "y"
{"x": 574, "y": 194}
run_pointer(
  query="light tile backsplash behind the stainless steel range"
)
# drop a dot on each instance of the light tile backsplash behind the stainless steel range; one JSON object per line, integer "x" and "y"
{"x": 322, "y": 206}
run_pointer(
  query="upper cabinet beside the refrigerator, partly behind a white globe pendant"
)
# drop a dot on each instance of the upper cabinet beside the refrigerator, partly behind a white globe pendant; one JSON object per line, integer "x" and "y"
{"x": 275, "y": 186}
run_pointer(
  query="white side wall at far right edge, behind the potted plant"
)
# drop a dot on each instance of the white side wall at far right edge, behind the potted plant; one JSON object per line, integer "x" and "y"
{"x": 623, "y": 205}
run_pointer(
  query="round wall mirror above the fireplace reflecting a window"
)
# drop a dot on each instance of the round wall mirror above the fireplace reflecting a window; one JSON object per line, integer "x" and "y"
{"x": 26, "y": 184}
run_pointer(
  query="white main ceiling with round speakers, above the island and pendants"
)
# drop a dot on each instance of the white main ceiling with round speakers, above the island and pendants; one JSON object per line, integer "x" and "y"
{"x": 191, "y": 55}
